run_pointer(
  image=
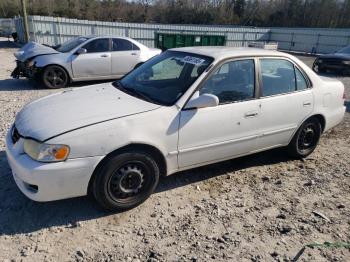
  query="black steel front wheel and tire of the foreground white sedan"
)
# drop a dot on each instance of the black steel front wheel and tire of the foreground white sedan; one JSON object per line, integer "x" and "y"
{"x": 125, "y": 180}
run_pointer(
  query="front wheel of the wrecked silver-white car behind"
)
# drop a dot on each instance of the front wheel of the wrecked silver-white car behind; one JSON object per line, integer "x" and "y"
{"x": 55, "y": 77}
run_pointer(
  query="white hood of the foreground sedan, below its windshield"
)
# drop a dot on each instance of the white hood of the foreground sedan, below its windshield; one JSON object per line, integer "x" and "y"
{"x": 64, "y": 112}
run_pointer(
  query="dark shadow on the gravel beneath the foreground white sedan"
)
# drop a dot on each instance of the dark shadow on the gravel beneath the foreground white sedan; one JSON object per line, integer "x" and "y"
{"x": 20, "y": 215}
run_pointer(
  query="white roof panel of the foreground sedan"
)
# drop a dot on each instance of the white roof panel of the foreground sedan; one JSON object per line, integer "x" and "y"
{"x": 222, "y": 52}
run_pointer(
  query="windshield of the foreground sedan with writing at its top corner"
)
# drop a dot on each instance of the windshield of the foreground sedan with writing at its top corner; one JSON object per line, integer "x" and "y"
{"x": 164, "y": 78}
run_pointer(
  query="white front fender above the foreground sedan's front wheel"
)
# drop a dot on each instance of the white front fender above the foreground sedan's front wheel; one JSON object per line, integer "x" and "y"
{"x": 157, "y": 128}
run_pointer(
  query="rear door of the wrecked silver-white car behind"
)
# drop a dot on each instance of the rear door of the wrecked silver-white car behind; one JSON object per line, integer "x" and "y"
{"x": 125, "y": 56}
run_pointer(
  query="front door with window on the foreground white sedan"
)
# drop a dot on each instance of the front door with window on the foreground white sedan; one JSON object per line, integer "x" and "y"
{"x": 227, "y": 130}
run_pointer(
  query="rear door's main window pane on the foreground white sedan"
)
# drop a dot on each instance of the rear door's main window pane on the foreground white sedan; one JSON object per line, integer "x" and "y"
{"x": 277, "y": 76}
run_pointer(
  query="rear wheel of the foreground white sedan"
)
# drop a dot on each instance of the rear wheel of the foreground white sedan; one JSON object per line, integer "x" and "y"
{"x": 305, "y": 139}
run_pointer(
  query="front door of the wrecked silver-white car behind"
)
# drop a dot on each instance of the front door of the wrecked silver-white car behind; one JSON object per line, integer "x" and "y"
{"x": 95, "y": 63}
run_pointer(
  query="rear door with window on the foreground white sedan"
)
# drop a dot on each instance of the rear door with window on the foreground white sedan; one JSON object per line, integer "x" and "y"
{"x": 285, "y": 101}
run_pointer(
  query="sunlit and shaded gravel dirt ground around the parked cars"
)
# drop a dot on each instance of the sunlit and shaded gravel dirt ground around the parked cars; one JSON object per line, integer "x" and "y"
{"x": 256, "y": 208}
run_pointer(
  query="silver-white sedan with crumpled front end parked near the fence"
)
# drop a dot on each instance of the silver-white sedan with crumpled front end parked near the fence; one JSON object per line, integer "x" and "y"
{"x": 81, "y": 59}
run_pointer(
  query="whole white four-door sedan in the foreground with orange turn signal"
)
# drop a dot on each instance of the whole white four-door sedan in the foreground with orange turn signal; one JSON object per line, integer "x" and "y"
{"x": 185, "y": 108}
